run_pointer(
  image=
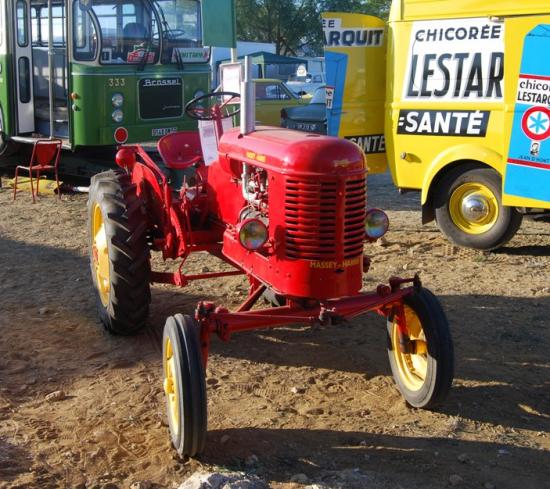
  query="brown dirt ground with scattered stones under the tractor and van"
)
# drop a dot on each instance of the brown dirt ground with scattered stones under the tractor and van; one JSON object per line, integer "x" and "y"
{"x": 346, "y": 424}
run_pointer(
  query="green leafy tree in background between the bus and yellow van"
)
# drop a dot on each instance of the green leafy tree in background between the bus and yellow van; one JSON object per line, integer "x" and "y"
{"x": 294, "y": 26}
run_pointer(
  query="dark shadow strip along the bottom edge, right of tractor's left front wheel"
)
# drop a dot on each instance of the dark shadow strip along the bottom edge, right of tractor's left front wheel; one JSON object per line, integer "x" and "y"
{"x": 383, "y": 461}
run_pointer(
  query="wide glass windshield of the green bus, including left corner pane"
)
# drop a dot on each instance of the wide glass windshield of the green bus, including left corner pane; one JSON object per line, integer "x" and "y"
{"x": 130, "y": 31}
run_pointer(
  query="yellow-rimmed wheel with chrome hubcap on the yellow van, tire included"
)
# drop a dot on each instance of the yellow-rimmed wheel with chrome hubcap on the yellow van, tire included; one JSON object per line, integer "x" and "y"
{"x": 469, "y": 211}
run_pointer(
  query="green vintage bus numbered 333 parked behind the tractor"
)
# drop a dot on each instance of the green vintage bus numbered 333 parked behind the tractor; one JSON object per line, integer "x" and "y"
{"x": 97, "y": 73}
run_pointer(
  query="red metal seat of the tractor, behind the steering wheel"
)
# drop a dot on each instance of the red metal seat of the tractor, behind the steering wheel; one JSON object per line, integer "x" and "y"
{"x": 180, "y": 150}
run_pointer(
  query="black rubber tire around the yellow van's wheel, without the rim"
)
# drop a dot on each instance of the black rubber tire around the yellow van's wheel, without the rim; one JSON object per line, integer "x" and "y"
{"x": 508, "y": 221}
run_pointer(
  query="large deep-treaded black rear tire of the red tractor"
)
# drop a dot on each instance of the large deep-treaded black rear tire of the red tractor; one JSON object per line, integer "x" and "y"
{"x": 129, "y": 257}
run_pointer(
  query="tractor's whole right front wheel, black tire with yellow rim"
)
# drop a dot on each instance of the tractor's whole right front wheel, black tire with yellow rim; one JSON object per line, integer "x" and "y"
{"x": 425, "y": 376}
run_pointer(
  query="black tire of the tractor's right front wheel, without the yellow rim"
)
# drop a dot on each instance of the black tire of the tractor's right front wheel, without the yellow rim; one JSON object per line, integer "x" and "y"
{"x": 440, "y": 356}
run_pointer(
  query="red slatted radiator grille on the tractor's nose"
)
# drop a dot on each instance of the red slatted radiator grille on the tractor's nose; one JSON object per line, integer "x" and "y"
{"x": 311, "y": 211}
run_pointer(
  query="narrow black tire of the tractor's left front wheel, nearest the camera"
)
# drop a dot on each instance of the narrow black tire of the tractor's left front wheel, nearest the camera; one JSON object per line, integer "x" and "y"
{"x": 183, "y": 333}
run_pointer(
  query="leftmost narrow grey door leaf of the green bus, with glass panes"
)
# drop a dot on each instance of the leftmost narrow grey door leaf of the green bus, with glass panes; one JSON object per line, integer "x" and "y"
{"x": 23, "y": 66}
